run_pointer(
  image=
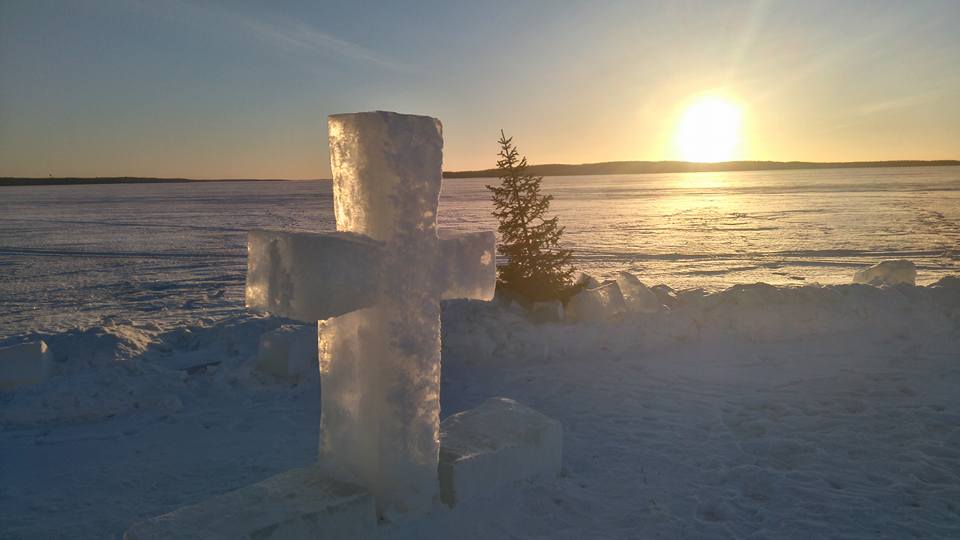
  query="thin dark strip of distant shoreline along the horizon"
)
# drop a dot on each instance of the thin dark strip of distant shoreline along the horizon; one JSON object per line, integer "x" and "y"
{"x": 585, "y": 169}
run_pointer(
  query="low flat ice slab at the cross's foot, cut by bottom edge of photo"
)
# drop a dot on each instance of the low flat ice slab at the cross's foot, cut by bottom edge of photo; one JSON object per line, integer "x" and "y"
{"x": 300, "y": 503}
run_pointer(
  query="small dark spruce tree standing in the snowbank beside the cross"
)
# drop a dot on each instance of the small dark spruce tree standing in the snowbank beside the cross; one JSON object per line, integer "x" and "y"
{"x": 537, "y": 268}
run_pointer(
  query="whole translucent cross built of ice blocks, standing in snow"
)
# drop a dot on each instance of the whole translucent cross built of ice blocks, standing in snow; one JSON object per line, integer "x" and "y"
{"x": 375, "y": 286}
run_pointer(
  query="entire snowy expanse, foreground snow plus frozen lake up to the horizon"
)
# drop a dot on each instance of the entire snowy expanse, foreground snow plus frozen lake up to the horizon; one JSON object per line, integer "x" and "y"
{"x": 818, "y": 411}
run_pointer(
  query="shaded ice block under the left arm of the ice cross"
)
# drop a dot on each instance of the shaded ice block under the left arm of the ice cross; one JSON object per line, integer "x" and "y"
{"x": 289, "y": 351}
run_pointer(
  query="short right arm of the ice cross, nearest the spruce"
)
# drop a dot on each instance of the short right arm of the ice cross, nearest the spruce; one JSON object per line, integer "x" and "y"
{"x": 469, "y": 264}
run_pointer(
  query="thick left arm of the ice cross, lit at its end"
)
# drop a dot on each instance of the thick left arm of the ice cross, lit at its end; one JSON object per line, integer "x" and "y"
{"x": 308, "y": 277}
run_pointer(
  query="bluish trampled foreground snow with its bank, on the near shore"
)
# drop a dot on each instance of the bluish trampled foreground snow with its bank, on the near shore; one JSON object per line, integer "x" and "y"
{"x": 811, "y": 412}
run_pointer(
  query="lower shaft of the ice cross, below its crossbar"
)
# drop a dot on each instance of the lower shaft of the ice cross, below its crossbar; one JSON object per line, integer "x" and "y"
{"x": 380, "y": 404}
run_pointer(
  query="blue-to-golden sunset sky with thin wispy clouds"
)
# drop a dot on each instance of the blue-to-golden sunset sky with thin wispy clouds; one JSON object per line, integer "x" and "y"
{"x": 242, "y": 89}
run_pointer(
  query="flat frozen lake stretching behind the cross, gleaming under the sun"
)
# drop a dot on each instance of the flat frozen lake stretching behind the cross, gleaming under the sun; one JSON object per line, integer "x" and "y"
{"x": 77, "y": 255}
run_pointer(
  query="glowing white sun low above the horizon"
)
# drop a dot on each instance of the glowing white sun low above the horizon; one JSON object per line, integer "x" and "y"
{"x": 709, "y": 130}
